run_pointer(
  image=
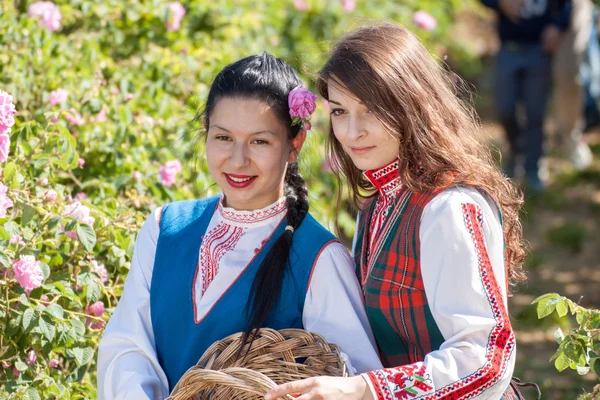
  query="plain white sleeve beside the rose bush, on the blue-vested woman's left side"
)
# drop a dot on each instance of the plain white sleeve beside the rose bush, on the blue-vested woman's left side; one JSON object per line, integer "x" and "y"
{"x": 128, "y": 367}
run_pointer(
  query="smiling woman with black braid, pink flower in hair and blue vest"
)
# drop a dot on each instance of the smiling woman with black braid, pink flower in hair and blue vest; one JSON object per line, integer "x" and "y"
{"x": 251, "y": 257}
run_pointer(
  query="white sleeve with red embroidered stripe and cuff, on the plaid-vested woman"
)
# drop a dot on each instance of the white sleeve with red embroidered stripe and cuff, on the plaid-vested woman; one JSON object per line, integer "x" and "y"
{"x": 463, "y": 269}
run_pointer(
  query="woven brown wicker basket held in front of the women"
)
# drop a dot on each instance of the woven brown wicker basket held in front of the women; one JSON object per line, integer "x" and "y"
{"x": 275, "y": 357}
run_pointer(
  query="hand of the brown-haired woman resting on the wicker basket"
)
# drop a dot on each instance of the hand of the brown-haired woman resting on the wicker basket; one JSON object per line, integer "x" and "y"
{"x": 324, "y": 388}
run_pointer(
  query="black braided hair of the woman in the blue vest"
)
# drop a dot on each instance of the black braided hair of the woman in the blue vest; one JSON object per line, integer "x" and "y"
{"x": 266, "y": 78}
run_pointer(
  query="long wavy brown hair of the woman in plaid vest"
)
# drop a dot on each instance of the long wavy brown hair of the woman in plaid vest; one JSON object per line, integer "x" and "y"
{"x": 391, "y": 72}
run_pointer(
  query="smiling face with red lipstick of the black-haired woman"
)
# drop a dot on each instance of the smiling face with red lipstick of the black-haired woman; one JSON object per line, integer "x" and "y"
{"x": 248, "y": 150}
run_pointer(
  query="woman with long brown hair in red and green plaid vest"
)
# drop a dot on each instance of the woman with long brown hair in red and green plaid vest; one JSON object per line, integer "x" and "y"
{"x": 438, "y": 239}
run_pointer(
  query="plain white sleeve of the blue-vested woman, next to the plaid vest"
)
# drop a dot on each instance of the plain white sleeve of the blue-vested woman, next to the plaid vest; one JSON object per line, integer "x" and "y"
{"x": 334, "y": 308}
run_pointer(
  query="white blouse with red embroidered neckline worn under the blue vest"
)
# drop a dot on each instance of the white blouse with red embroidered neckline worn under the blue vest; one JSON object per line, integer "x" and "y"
{"x": 128, "y": 367}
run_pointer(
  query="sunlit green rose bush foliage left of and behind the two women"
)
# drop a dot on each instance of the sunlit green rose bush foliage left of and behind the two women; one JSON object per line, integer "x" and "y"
{"x": 132, "y": 87}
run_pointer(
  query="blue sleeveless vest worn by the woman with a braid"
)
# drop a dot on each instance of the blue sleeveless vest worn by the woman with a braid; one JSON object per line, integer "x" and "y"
{"x": 180, "y": 342}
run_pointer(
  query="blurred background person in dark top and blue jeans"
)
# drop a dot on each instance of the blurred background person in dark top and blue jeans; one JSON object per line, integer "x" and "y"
{"x": 530, "y": 33}
